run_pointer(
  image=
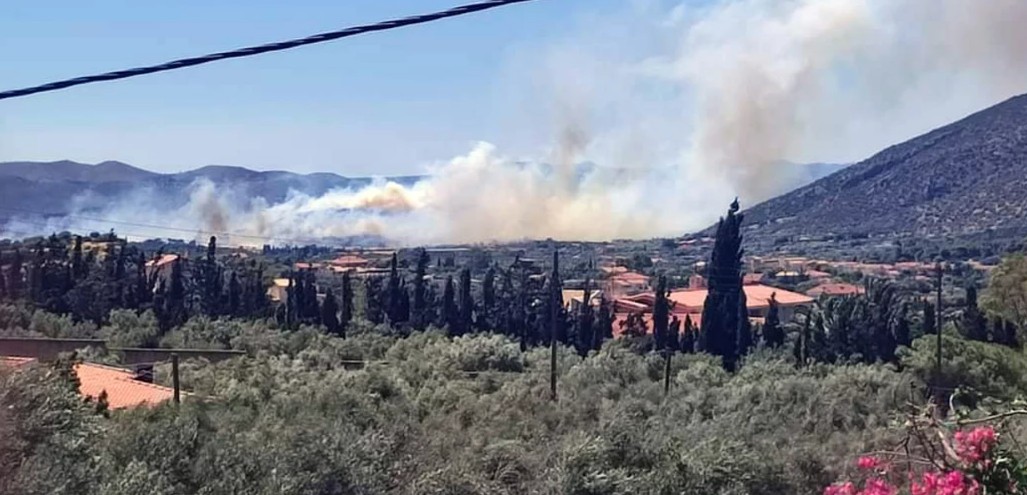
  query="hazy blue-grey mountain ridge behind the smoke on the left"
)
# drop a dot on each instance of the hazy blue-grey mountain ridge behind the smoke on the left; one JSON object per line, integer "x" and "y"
{"x": 49, "y": 188}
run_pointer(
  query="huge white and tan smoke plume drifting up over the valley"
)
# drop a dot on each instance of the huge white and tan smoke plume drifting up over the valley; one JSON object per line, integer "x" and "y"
{"x": 681, "y": 107}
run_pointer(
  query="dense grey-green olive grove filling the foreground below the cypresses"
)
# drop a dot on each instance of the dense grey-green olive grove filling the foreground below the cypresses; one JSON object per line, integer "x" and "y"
{"x": 435, "y": 414}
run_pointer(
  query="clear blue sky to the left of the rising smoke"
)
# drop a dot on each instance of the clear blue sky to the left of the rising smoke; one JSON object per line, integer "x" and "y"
{"x": 385, "y": 103}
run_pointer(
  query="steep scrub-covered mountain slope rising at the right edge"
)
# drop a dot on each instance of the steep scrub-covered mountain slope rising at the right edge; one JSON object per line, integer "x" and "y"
{"x": 964, "y": 179}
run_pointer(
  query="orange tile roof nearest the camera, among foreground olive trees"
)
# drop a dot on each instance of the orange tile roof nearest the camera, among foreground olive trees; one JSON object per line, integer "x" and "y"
{"x": 123, "y": 389}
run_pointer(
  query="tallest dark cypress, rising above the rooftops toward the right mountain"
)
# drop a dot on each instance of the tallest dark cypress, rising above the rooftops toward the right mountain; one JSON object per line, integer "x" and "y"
{"x": 719, "y": 334}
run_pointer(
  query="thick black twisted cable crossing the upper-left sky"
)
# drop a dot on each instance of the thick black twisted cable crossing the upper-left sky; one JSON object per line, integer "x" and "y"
{"x": 255, "y": 51}
